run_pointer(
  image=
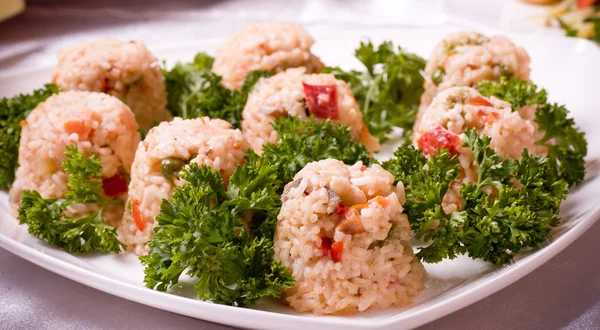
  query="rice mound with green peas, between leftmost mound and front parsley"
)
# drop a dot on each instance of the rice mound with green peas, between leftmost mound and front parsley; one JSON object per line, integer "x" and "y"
{"x": 159, "y": 159}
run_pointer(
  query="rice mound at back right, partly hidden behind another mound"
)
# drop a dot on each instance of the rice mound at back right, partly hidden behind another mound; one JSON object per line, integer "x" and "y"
{"x": 467, "y": 58}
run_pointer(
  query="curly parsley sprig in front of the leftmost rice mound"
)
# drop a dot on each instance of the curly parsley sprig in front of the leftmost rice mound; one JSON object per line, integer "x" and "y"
{"x": 46, "y": 220}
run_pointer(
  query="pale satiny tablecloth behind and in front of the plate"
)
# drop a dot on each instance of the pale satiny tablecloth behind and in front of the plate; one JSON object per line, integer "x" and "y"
{"x": 562, "y": 294}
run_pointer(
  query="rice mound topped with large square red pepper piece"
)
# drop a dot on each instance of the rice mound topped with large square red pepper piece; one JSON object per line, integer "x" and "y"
{"x": 294, "y": 93}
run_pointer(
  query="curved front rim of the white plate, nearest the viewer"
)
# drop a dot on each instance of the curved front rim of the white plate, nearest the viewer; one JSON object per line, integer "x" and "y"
{"x": 472, "y": 293}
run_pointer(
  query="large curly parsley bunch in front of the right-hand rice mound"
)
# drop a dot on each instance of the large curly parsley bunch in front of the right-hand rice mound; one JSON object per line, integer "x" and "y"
{"x": 493, "y": 227}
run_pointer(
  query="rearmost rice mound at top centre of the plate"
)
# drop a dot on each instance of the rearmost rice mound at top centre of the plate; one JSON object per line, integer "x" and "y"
{"x": 271, "y": 46}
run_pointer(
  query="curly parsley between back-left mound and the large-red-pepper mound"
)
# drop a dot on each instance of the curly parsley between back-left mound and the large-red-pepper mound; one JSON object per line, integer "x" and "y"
{"x": 194, "y": 91}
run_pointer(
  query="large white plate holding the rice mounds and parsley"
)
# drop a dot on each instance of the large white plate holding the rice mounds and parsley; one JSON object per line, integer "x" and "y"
{"x": 567, "y": 68}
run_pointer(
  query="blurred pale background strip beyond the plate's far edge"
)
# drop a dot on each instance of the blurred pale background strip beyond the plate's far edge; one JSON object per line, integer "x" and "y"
{"x": 31, "y": 31}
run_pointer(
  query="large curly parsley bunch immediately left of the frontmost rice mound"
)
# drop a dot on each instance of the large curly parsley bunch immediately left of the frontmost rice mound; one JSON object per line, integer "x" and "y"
{"x": 202, "y": 231}
